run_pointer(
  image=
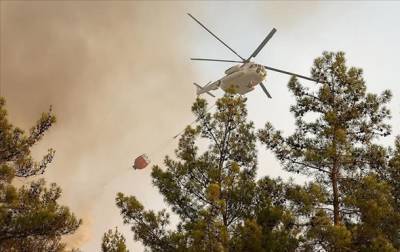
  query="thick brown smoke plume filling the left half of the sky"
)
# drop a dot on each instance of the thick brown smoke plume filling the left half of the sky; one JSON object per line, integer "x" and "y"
{"x": 118, "y": 77}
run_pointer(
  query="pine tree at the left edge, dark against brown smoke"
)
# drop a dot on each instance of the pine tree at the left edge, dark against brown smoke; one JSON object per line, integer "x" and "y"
{"x": 30, "y": 217}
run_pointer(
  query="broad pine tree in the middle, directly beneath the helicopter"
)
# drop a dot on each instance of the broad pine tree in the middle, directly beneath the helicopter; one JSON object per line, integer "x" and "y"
{"x": 220, "y": 204}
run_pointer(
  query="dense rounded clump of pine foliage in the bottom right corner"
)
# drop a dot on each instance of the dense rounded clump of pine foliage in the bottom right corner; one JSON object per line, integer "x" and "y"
{"x": 379, "y": 219}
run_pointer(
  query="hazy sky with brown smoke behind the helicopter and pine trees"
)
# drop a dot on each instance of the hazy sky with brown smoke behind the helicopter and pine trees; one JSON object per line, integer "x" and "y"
{"x": 118, "y": 76}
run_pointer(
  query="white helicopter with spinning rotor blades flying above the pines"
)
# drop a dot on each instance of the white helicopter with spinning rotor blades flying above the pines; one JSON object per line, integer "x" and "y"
{"x": 241, "y": 78}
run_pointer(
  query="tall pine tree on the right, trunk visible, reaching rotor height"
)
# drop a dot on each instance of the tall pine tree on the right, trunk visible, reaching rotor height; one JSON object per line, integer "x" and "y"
{"x": 337, "y": 122}
